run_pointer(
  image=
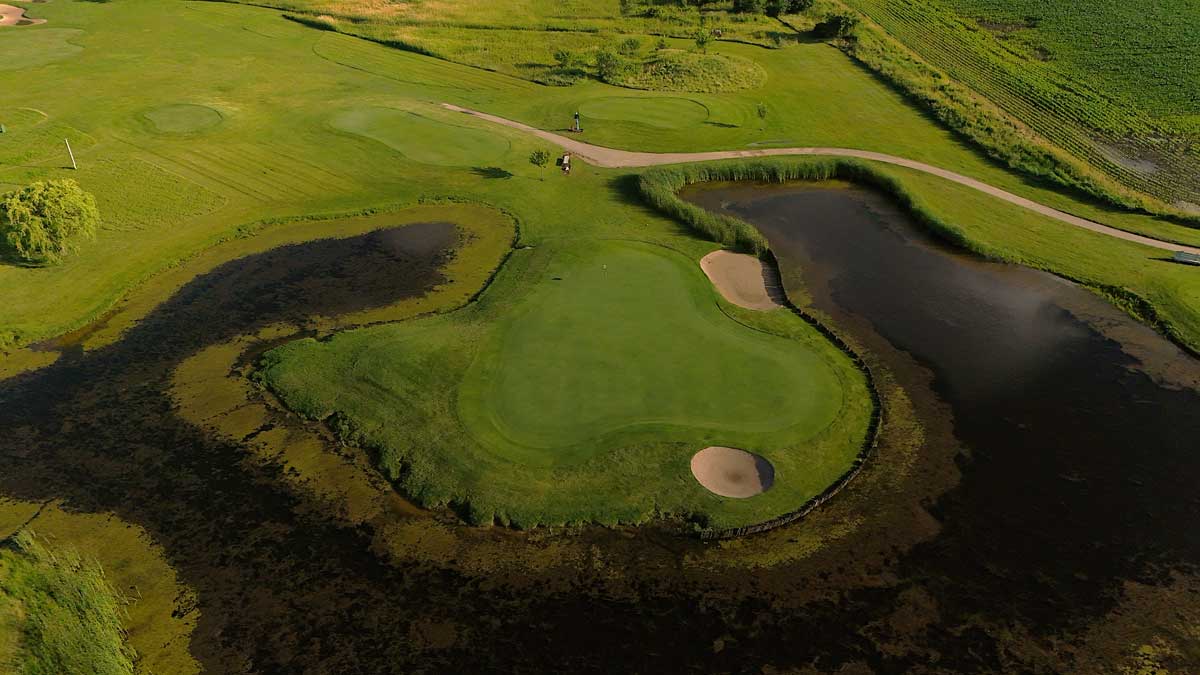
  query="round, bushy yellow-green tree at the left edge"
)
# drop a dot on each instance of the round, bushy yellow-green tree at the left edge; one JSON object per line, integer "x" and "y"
{"x": 44, "y": 223}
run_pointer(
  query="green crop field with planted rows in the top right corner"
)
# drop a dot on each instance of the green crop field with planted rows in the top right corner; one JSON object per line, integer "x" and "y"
{"x": 1114, "y": 85}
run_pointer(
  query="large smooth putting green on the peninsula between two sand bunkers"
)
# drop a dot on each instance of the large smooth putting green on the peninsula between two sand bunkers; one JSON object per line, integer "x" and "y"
{"x": 627, "y": 341}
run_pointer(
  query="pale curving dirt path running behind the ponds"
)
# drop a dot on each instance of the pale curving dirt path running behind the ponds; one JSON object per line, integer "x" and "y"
{"x": 613, "y": 158}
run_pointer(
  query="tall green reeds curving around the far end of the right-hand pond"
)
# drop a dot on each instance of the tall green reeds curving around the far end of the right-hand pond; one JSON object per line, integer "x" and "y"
{"x": 661, "y": 188}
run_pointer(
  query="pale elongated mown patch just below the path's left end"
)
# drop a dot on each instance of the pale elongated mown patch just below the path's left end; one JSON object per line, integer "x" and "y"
{"x": 422, "y": 139}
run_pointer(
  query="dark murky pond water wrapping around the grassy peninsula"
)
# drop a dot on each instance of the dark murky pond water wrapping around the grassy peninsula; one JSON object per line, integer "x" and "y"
{"x": 1057, "y": 468}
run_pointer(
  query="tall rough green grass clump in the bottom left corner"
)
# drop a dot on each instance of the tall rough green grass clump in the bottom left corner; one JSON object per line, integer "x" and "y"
{"x": 69, "y": 617}
